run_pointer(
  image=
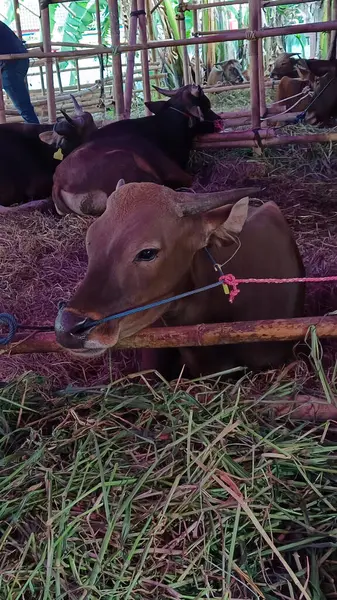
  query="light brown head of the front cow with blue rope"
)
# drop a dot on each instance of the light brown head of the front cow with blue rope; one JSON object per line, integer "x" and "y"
{"x": 141, "y": 250}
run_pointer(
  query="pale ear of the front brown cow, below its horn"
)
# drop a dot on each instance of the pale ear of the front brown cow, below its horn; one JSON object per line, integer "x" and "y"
{"x": 226, "y": 222}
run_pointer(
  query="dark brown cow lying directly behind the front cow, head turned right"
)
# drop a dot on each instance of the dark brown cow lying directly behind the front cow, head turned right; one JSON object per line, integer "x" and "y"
{"x": 147, "y": 149}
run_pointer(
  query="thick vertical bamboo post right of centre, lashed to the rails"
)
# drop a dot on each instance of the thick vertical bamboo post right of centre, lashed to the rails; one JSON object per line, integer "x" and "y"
{"x": 254, "y": 8}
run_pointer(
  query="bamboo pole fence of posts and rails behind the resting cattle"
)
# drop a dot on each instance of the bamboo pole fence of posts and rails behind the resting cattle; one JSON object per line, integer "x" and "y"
{"x": 123, "y": 98}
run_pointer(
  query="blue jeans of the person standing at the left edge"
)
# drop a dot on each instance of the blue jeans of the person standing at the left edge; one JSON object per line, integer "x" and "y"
{"x": 13, "y": 81}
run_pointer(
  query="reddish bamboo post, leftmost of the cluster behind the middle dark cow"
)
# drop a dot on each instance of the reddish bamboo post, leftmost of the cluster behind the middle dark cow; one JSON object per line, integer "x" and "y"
{"x": 116, "y": 59}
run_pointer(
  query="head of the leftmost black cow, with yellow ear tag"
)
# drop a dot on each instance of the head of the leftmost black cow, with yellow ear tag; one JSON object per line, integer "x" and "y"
{"x": 70, "y": 132}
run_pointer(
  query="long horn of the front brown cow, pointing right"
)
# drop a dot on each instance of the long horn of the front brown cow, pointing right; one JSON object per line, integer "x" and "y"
{"x": 191, "y": 204}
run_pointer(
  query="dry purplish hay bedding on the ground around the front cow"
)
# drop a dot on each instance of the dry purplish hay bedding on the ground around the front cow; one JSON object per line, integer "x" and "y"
{"x": 43, "y": 257}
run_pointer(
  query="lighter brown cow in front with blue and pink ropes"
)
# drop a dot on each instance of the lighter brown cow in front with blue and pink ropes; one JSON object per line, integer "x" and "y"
{"x": 150, "y": 244}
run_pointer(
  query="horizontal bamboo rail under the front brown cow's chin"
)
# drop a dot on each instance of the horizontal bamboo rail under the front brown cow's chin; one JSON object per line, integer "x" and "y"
{"x": 195, "y": 335}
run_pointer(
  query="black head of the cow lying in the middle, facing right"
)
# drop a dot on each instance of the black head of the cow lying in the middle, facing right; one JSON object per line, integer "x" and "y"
{"x": 189, "y": 100}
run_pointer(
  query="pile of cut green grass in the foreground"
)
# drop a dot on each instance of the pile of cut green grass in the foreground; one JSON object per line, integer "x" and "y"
{"x": 185, "y": 492}
